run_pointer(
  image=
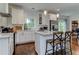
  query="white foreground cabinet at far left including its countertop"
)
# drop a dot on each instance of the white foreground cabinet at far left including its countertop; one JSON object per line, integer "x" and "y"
{"x": 6, "y": 44}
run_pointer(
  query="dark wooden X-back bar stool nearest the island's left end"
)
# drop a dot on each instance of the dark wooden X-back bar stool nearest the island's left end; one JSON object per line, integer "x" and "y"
{"x": 55, "y": 43}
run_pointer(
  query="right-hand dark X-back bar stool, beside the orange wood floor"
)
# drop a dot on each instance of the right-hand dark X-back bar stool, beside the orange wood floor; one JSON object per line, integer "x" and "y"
{"x": 68, "y": 47}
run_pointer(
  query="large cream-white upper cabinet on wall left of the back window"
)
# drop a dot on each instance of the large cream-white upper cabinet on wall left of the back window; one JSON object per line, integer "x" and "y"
{"x": 17, "y": 15}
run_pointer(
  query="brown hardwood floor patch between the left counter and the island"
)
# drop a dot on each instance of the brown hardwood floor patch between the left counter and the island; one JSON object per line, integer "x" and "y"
{"x": 25, "y": 49}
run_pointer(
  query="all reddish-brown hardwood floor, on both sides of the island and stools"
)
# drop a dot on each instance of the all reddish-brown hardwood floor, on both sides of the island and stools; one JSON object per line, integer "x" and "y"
{"x": 29, "y": 48}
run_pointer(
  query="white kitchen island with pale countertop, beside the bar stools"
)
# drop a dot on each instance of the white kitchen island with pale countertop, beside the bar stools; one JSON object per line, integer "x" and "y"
{"x": 40, "y": 41}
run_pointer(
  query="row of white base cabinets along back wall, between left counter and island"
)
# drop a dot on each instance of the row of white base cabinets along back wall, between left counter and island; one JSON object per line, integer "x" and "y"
{"x": 25, "y": 36}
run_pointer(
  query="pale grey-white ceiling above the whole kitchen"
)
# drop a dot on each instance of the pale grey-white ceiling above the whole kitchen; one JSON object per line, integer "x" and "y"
{"x": 69, "y": 9}
